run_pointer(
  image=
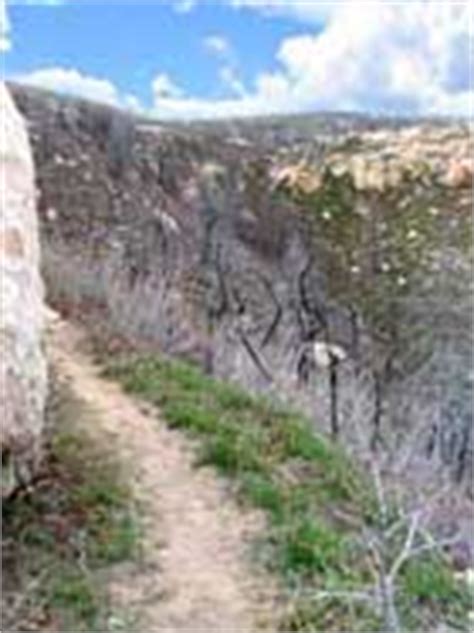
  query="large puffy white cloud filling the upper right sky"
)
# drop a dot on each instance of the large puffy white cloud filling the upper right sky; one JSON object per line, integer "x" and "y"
{"x": 412, "y": 58}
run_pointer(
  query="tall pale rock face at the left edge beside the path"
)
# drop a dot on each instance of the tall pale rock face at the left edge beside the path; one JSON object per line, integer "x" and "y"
{"x": 23, "y": 380}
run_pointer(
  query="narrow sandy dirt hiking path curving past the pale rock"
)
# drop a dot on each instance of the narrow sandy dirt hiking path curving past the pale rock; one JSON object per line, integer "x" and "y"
{"x": 194, "y": 574}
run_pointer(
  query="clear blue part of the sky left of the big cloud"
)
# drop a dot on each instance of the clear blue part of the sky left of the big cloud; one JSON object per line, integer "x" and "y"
{"x": 147, "y": 39}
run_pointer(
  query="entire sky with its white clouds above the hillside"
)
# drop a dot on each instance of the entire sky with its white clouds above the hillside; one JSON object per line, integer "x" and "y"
{"x": 202, "y": 58}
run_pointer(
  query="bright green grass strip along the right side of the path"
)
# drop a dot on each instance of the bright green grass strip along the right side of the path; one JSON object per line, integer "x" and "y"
{"x": 317, "y": 504}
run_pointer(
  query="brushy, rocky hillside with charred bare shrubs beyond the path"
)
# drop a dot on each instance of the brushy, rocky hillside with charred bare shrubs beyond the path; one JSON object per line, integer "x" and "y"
{"x": 334, "y": 271}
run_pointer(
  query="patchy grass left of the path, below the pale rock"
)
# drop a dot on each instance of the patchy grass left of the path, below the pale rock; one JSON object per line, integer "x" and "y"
{"x": 60, "y": 538}
